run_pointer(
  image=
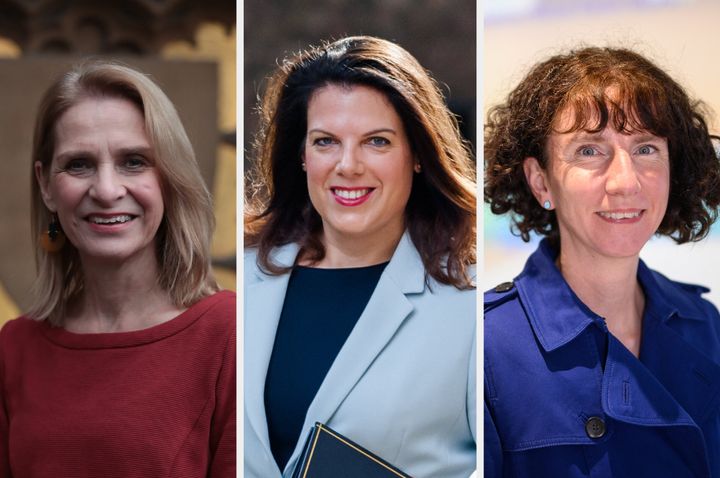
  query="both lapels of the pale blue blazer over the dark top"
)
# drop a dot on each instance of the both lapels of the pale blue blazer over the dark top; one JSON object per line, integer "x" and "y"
{"x": 386, "y": 310}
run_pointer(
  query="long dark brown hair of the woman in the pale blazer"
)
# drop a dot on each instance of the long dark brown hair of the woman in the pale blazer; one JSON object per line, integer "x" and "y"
{"x": 441, "y": 211}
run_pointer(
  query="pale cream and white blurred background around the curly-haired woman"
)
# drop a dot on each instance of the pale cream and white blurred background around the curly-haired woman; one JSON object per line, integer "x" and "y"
{"x": 678, "y": 35}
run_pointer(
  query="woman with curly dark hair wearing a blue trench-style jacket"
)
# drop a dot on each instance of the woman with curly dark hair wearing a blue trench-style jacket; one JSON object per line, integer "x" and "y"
{"x": 595, "y": 365}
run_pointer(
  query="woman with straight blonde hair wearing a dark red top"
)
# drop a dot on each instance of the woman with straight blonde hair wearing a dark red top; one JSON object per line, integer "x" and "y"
{"x": 125, "y": 364}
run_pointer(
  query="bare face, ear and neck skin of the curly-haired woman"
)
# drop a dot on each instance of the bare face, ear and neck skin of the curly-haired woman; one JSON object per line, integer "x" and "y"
{"x": 610, "y": 191}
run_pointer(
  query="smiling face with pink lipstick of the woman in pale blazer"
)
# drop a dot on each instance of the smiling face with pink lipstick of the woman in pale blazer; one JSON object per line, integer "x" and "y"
{"x": 359, "y": 163}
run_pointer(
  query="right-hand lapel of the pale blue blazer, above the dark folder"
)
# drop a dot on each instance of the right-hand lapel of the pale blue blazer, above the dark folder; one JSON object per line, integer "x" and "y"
{"x": 386, "y": 310}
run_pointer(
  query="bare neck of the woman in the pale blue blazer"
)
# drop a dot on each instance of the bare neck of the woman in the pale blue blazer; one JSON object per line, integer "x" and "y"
{"x": 347, "y": 251}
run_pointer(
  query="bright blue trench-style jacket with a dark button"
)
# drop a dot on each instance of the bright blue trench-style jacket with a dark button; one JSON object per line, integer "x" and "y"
{"x": 564, "y": 398}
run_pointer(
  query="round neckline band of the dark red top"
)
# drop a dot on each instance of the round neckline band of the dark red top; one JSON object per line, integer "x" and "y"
{"x": 73, "y": 340}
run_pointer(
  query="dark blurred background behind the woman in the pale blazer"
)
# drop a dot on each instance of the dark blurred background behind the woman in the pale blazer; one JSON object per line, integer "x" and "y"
{"x": 440, "y": 34}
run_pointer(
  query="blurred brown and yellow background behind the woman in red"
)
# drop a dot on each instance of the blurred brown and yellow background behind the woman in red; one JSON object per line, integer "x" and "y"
{"x": 187, "y": 47}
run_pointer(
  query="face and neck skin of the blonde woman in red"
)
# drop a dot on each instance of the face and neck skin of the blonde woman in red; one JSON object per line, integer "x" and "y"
{"x": 102, "y": 167}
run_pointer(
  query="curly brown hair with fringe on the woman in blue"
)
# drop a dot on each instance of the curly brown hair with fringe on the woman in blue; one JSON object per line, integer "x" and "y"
{"x": 601, "y": 86}
